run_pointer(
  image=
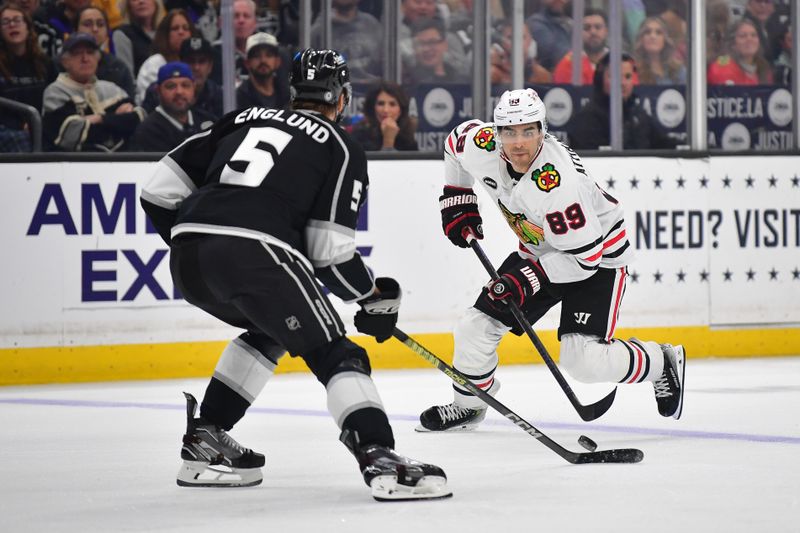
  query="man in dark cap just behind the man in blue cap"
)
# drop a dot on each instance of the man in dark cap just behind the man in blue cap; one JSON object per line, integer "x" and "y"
{"x": 199, "y": 55}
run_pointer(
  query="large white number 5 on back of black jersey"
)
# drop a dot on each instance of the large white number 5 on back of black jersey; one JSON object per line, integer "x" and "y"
{"x": 256, "y": 150}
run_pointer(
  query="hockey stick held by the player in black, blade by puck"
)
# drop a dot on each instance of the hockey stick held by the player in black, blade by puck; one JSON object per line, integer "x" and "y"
{"x": 621, "y": 455}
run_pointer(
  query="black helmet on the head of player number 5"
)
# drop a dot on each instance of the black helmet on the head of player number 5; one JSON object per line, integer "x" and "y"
{"x": 320, "y": 76}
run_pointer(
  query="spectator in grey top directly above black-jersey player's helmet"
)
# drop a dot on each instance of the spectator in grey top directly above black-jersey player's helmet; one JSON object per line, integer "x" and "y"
{"x": 356, "y": 35}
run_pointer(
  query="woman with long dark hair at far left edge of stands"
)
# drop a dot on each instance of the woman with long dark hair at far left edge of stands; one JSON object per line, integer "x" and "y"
{"x": 25, "y": 71}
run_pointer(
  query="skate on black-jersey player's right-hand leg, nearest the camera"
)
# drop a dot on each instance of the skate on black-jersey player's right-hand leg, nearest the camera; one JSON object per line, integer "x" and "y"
{"x": 392, "y": 477}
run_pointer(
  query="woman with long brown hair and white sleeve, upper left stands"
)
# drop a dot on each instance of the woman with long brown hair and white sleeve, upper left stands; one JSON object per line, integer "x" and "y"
{"x": 170, "y": 34}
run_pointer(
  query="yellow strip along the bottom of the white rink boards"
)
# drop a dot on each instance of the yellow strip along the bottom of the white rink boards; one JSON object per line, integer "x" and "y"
{"x": 22, "y": 366}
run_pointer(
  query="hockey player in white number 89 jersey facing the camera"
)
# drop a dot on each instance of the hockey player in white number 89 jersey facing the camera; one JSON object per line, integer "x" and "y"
{"x": 573, "y": 249}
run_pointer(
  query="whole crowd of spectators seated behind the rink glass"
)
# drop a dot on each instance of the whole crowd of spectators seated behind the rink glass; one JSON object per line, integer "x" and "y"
{"x": 126, "y": 45}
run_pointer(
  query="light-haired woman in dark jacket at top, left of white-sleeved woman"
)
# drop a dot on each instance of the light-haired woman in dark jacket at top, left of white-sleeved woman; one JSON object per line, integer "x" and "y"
{"x": 132, "y": 40}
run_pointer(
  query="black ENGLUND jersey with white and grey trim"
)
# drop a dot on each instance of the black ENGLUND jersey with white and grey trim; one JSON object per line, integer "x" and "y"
{"x": 289, "y": 178}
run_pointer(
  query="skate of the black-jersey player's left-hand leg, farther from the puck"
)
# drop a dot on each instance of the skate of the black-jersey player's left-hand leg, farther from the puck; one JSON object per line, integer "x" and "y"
{"x": 211, "y": 458}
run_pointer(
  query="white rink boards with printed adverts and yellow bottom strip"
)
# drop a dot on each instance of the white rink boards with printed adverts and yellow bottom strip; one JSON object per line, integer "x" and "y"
{"x": 87, "y": 295}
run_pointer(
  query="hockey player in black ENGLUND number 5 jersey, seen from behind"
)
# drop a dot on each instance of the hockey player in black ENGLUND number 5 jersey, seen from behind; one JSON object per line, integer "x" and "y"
{"x": 256, "y": 210}
